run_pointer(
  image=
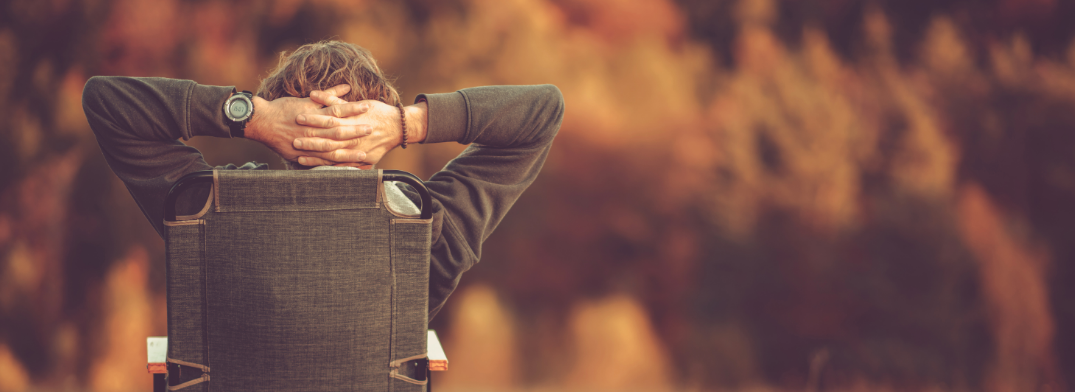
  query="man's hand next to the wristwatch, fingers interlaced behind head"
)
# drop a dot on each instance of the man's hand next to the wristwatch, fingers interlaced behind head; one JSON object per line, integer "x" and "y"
{"x": 275, "y": 125}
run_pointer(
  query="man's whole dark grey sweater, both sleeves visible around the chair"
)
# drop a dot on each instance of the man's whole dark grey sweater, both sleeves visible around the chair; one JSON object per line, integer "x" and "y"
{"x": 139, "y": 122}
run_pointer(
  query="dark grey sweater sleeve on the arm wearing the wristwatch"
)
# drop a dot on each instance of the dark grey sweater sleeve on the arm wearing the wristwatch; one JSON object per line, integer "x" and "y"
{"x": 138, "y": 123}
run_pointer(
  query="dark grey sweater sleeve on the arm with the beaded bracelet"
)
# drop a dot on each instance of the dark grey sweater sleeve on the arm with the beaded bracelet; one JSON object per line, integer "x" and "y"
{"x": 510, "y": 130}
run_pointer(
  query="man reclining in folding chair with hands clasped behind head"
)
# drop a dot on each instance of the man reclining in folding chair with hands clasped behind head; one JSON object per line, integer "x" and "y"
{"x": 510, "y": 129}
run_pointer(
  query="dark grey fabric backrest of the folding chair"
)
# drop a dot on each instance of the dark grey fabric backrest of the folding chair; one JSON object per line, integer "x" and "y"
{"x": 297, "y": 281}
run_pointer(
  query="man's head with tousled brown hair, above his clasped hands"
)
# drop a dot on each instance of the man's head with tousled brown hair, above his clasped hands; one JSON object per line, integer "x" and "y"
{"x": 324, "y": 65}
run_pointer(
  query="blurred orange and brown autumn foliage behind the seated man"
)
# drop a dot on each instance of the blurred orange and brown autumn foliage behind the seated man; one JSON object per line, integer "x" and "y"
{"x": 746, "y": 195}
